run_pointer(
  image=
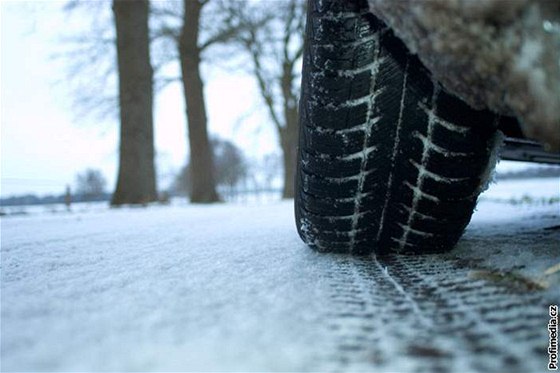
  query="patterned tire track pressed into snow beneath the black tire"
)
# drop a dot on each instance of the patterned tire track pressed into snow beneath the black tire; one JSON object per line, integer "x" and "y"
{"x": 424, "y": 314}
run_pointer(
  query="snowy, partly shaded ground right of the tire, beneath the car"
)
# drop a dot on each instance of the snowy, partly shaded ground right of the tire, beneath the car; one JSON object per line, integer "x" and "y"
{"x": 522, "y": 218}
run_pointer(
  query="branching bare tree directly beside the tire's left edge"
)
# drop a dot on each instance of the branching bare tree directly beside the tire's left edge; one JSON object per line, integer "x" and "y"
{"x": 272, "y": 35}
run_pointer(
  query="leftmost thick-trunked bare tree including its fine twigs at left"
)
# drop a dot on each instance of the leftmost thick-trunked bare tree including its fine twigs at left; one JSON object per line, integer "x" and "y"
{"x": 109, "y": 72}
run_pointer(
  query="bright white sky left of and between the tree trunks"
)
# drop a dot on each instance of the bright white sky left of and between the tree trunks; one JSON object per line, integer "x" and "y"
{"x": 44, "y": 145}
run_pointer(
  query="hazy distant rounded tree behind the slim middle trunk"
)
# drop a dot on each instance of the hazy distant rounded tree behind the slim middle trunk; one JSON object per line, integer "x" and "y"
{"x": 229, "y": 168}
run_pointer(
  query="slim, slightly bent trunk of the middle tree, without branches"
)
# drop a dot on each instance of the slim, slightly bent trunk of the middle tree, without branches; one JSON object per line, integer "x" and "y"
{"x": 203, "y": 188}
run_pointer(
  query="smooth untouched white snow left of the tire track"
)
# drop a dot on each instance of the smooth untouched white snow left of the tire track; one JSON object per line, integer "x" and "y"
{"x": 88, "y": 292}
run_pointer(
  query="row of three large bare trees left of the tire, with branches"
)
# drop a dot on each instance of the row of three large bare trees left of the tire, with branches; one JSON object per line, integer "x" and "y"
{"x": 268, "y": 35}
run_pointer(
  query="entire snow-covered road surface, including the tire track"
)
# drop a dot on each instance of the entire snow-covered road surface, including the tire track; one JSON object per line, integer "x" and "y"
{"x": 232, "y": 288}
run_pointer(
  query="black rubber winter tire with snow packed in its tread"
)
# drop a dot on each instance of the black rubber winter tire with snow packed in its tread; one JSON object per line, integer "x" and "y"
{"x": 387, "y": 160}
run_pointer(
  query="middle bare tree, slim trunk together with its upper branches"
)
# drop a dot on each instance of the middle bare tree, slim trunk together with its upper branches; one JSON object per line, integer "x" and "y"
{"x": 195, "y": 35}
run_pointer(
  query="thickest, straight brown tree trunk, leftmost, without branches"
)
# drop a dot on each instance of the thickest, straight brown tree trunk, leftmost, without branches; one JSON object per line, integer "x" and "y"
{"x": 136, "y": 182}
